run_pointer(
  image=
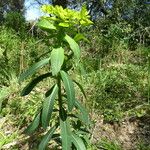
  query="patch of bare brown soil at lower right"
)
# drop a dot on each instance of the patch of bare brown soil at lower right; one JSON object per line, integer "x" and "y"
{"x": 128, "y": 133}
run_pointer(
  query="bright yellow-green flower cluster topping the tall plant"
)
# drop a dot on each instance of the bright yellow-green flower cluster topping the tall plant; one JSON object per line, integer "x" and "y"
{"x": 67, "y": 17}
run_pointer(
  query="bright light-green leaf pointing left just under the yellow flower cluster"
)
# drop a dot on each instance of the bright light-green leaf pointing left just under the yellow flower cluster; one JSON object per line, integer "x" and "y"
{"x": 46, "y": 24}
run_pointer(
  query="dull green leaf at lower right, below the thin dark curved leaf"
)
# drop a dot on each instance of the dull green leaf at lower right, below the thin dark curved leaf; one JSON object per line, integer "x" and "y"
{"x": 84, "y": 115}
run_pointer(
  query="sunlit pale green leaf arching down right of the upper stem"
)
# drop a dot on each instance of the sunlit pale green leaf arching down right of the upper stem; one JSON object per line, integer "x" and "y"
{"x": 73, "y": 45}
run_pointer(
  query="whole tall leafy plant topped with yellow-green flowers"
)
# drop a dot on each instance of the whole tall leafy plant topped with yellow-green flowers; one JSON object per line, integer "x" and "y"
{"x": 62, "y": 25}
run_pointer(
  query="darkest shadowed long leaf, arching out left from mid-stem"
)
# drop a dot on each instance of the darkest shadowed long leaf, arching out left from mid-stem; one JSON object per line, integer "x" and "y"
{"x": 33, "y": 83}
